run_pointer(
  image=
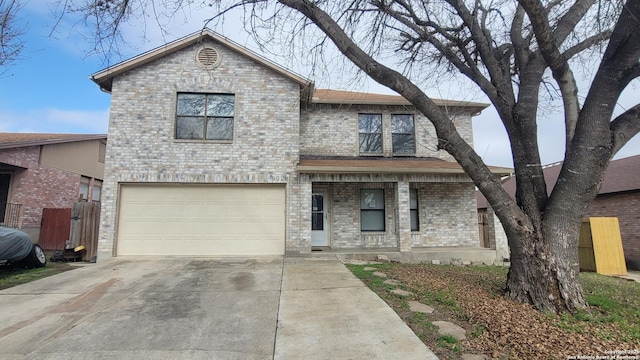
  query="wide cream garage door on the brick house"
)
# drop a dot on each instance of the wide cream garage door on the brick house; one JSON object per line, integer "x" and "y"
{"x": 201, "y": 220}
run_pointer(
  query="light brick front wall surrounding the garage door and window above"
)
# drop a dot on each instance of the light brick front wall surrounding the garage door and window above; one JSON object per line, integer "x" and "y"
{"x": 142, "y": 146}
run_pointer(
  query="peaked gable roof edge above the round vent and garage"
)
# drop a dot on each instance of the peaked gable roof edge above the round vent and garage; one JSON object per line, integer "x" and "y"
{"x": 104, "y": 78}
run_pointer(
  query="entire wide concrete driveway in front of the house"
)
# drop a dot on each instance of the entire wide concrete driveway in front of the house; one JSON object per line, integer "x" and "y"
{"x": 186, "y": 308}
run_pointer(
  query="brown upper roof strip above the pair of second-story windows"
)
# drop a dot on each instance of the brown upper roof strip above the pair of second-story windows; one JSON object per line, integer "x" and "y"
{"x": 328, "y": 96}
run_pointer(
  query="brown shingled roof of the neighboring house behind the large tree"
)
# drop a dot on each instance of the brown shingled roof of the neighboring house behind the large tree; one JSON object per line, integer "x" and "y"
{"x": 621, "y": 175}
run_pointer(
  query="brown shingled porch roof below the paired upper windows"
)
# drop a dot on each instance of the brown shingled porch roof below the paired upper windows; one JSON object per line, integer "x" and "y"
{"x": 341, "y": 165}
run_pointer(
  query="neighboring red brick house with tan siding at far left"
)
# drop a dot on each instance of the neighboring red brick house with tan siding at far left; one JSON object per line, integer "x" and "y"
{"x": 47, "y": 171}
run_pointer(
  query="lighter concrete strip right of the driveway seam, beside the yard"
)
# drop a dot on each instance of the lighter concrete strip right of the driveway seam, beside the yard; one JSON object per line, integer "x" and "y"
{"x": 327, "y": 313}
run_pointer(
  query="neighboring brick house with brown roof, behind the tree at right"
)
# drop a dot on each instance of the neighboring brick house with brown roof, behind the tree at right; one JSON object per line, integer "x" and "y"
{"x": 619, "y": 196}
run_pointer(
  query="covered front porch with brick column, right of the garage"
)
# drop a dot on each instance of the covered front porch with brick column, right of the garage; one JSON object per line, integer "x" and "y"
{"x": 409, "y": 209}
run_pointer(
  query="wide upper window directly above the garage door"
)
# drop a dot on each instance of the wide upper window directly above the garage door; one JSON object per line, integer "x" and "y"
{"x": 205, "y": 116}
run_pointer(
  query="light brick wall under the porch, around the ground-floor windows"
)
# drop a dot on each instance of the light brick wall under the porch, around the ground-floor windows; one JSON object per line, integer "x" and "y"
{"x": 447, "y": 211}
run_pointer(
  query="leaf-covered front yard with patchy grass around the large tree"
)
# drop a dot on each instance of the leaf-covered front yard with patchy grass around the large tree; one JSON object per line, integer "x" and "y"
{"x": 503, "y": 329}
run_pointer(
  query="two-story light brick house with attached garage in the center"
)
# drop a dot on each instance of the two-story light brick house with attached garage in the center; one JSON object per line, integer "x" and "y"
{"x": 214, "y": 150}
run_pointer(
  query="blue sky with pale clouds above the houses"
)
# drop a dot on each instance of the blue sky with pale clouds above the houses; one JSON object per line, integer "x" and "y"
{"x": 49, "y": 89}
